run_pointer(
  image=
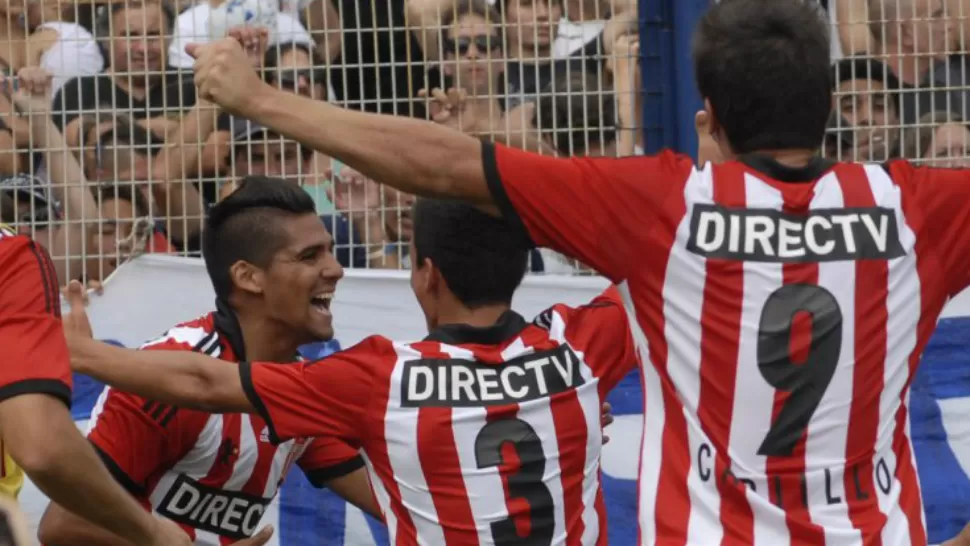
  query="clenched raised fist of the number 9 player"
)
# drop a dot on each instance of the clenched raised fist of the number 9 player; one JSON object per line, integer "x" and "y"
{"x": 224, "y": 74}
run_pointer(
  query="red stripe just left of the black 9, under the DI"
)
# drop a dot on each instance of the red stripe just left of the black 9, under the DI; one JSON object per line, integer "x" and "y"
{"x": 720, "y": 333}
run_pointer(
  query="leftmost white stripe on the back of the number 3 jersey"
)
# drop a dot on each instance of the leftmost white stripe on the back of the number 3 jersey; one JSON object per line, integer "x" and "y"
{"x": 401, "y": 435}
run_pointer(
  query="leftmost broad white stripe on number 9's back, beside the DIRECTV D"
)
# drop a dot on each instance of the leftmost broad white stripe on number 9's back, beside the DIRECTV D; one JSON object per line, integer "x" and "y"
{"x": 683, "y": 296}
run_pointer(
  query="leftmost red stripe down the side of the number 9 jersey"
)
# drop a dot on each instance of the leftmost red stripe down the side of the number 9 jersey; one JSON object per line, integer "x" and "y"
{"x": 672, "y": 510}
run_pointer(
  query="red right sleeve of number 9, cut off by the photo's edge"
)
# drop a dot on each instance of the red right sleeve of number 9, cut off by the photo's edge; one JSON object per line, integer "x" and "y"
{"x": 942, "y": 206}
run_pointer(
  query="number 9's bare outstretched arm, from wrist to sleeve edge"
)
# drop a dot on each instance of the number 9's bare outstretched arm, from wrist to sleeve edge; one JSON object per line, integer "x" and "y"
{"x": 415, "y": 156}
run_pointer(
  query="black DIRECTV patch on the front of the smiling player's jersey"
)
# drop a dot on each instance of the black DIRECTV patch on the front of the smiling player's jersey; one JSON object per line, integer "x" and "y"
{"x": 227, "y": 513}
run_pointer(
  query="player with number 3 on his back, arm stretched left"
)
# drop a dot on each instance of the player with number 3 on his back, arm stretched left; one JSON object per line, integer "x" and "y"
{"x": 487, "y": 431}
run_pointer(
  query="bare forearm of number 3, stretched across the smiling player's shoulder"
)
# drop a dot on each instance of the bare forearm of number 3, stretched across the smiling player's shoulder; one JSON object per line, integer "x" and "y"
{"x": 180, "y": 378}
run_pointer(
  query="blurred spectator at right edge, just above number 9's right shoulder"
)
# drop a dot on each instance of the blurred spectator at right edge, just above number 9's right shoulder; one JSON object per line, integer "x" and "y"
{"x": 940, "y": 139}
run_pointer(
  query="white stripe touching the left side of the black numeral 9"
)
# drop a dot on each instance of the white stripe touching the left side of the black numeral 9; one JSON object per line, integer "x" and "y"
{"x": 753, "y": 398}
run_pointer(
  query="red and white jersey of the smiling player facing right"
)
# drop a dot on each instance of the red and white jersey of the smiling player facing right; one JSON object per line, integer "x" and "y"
{"x": 213, "y": 474}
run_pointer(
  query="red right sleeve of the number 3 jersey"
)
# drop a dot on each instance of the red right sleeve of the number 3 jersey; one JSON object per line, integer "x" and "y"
{"x": 601, "y": 330}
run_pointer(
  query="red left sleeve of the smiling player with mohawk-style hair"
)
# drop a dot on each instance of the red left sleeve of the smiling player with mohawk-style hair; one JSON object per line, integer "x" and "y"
{"x": 137, "y": 438}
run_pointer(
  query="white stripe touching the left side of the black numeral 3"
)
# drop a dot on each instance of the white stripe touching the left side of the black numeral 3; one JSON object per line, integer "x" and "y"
{"x": 486, "y": 494}
